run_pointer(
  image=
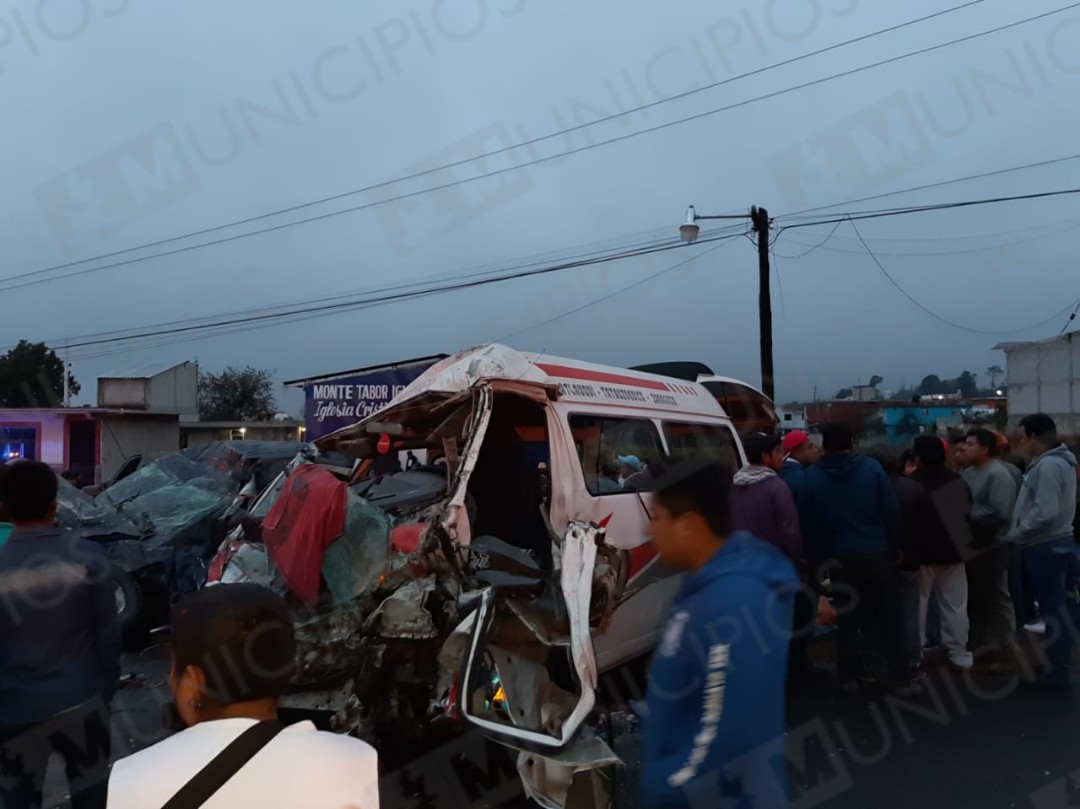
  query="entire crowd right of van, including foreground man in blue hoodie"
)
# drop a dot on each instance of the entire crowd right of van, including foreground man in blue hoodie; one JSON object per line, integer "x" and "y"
{"x": 962, "y": 545}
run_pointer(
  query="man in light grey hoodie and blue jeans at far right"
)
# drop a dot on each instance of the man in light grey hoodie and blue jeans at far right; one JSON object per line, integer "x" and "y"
{"x": 1043, "y": 527}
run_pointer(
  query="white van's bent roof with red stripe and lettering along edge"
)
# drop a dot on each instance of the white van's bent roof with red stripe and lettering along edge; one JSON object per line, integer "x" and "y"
{"x": 577, "y": 382}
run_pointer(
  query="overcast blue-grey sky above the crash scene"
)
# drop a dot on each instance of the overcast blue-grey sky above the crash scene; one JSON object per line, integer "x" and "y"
{"x": 127, "y": 123}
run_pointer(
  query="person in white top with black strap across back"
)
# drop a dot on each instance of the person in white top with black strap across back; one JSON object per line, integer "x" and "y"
{"x": 234, "y": 655}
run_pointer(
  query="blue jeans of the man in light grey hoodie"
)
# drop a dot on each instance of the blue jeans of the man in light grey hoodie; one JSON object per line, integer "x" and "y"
{"x": 1048, "y": 564}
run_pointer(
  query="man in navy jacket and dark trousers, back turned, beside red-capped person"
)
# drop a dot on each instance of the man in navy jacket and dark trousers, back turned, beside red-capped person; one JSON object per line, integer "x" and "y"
{"x": 854, "y": 532}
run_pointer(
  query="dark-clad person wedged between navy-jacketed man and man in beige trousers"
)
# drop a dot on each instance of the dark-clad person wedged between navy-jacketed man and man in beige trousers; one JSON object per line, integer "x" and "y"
{"x": 911, "y": 497}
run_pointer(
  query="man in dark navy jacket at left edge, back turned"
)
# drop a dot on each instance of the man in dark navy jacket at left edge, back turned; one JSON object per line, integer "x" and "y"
{"x": 60, "y": 649}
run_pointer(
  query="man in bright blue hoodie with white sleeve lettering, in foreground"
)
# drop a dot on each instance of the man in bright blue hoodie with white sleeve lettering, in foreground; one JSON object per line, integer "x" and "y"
{"x": 714, "y": 725}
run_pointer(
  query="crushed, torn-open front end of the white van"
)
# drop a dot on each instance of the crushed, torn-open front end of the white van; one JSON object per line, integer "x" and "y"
{"x": 417, "y": 630}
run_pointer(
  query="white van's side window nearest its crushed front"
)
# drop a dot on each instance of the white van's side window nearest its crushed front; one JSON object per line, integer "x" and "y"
{"x": 615, "y": 453}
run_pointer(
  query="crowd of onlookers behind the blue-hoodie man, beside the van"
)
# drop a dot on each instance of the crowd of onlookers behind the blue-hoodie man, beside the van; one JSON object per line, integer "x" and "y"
{"x": 965, "y": 545}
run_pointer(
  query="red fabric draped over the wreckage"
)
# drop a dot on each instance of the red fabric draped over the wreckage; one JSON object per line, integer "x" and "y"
{"x": 307, "y": 518}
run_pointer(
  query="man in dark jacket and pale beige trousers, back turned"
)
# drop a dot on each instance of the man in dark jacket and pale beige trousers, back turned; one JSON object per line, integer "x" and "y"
{"x": 946, "y": 545}
